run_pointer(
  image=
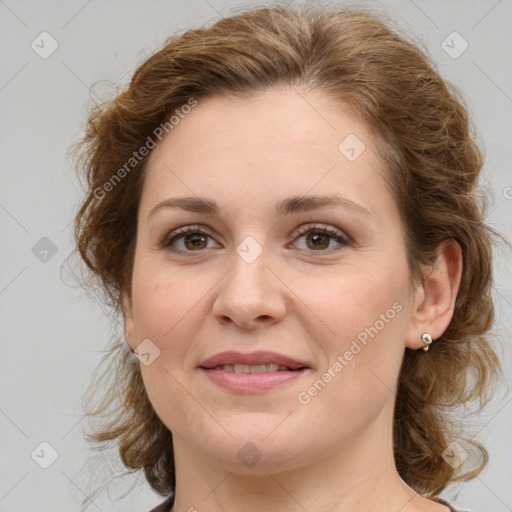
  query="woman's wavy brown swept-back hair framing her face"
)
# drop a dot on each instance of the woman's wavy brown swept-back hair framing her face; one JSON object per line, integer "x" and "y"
{"x": 427, "y": 144}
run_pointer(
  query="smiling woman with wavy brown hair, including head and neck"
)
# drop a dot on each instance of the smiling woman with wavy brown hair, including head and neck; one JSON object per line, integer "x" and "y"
{"x": 282, "y": 207}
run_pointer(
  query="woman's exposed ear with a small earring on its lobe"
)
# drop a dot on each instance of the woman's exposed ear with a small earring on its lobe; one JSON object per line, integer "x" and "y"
{"x": 435, "y": 296}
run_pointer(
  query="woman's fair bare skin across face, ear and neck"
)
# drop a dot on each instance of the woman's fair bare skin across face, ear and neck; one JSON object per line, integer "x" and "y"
{"x": 334, "y": 453}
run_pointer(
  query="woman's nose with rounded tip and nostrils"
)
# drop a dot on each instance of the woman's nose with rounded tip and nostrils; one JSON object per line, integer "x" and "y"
{"x": 250, "y": 295}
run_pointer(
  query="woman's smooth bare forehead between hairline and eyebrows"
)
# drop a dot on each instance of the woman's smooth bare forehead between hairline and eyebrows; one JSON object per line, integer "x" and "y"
{"x": 274, "y": 144}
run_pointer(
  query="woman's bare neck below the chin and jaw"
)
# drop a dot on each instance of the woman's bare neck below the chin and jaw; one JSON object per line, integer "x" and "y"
{"x": 358, "y": 476}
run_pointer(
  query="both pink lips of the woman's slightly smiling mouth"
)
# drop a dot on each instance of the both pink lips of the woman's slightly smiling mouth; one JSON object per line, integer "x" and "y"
{"x": 247, "y": 383}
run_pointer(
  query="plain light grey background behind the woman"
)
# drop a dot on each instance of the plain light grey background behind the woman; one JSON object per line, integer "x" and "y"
{"x": 52, "y": 336}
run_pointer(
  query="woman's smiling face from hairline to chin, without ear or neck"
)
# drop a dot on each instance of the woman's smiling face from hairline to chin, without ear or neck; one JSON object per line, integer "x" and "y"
{"x": 277, "y": 267}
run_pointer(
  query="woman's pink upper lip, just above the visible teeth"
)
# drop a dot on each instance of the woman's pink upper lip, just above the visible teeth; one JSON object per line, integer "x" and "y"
{"x": 240, "y": 361}
